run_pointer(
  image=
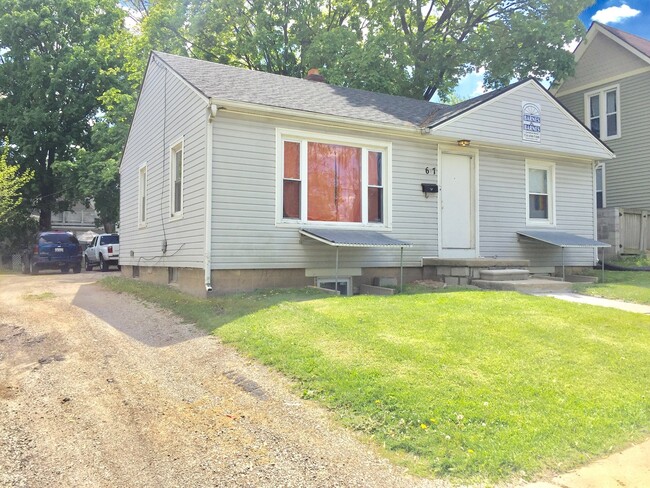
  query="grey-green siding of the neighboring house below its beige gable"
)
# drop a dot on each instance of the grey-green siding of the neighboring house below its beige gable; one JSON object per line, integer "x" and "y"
{"x": 627, "y": 177}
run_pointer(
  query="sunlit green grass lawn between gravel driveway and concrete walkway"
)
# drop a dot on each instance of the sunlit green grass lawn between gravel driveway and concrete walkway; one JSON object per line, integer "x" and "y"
{"x": 465, "y": 385}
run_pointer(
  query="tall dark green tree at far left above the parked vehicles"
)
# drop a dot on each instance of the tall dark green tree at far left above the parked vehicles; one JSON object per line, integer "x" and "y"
{"x": 52, "y": 75}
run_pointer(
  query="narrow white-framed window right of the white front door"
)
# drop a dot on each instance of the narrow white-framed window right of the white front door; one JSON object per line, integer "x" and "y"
{"x": 540, "y": 205}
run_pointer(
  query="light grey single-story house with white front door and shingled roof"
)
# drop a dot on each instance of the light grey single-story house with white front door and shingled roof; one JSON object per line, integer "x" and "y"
{"x": 234, "y": 179}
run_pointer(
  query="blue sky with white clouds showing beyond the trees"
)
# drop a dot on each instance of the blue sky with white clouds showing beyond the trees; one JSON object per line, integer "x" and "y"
{"x": 629, "y": 15}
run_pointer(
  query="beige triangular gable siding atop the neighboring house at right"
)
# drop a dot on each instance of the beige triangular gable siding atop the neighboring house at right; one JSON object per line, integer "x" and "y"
{"x": 604, "y": 59}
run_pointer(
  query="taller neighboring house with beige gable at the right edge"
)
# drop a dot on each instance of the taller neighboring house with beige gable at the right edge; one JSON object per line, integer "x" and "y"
{"x": 610, "y": 94}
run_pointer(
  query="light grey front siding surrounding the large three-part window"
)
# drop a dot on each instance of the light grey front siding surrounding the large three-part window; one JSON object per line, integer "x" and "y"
{"x": 245, "y": 234}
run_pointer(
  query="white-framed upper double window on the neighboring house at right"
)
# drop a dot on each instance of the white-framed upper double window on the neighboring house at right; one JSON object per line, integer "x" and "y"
{"x": 603, "y": 113}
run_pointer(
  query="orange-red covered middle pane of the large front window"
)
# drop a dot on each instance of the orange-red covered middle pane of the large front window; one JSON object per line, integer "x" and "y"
{"x": 334, "y": 183}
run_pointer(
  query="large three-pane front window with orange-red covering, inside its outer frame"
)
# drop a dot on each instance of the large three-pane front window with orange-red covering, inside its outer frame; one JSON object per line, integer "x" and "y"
{"x": 332, "y": 181}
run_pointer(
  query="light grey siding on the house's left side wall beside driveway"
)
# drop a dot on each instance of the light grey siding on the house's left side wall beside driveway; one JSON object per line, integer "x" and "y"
{"x": 168, "y": 111}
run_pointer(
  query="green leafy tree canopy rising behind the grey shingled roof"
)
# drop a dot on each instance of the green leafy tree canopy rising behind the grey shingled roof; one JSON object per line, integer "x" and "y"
{"x": 403, "y": 47}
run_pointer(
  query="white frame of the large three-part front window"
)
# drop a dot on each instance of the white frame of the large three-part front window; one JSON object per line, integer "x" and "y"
{"x": 366, "y": 145}
